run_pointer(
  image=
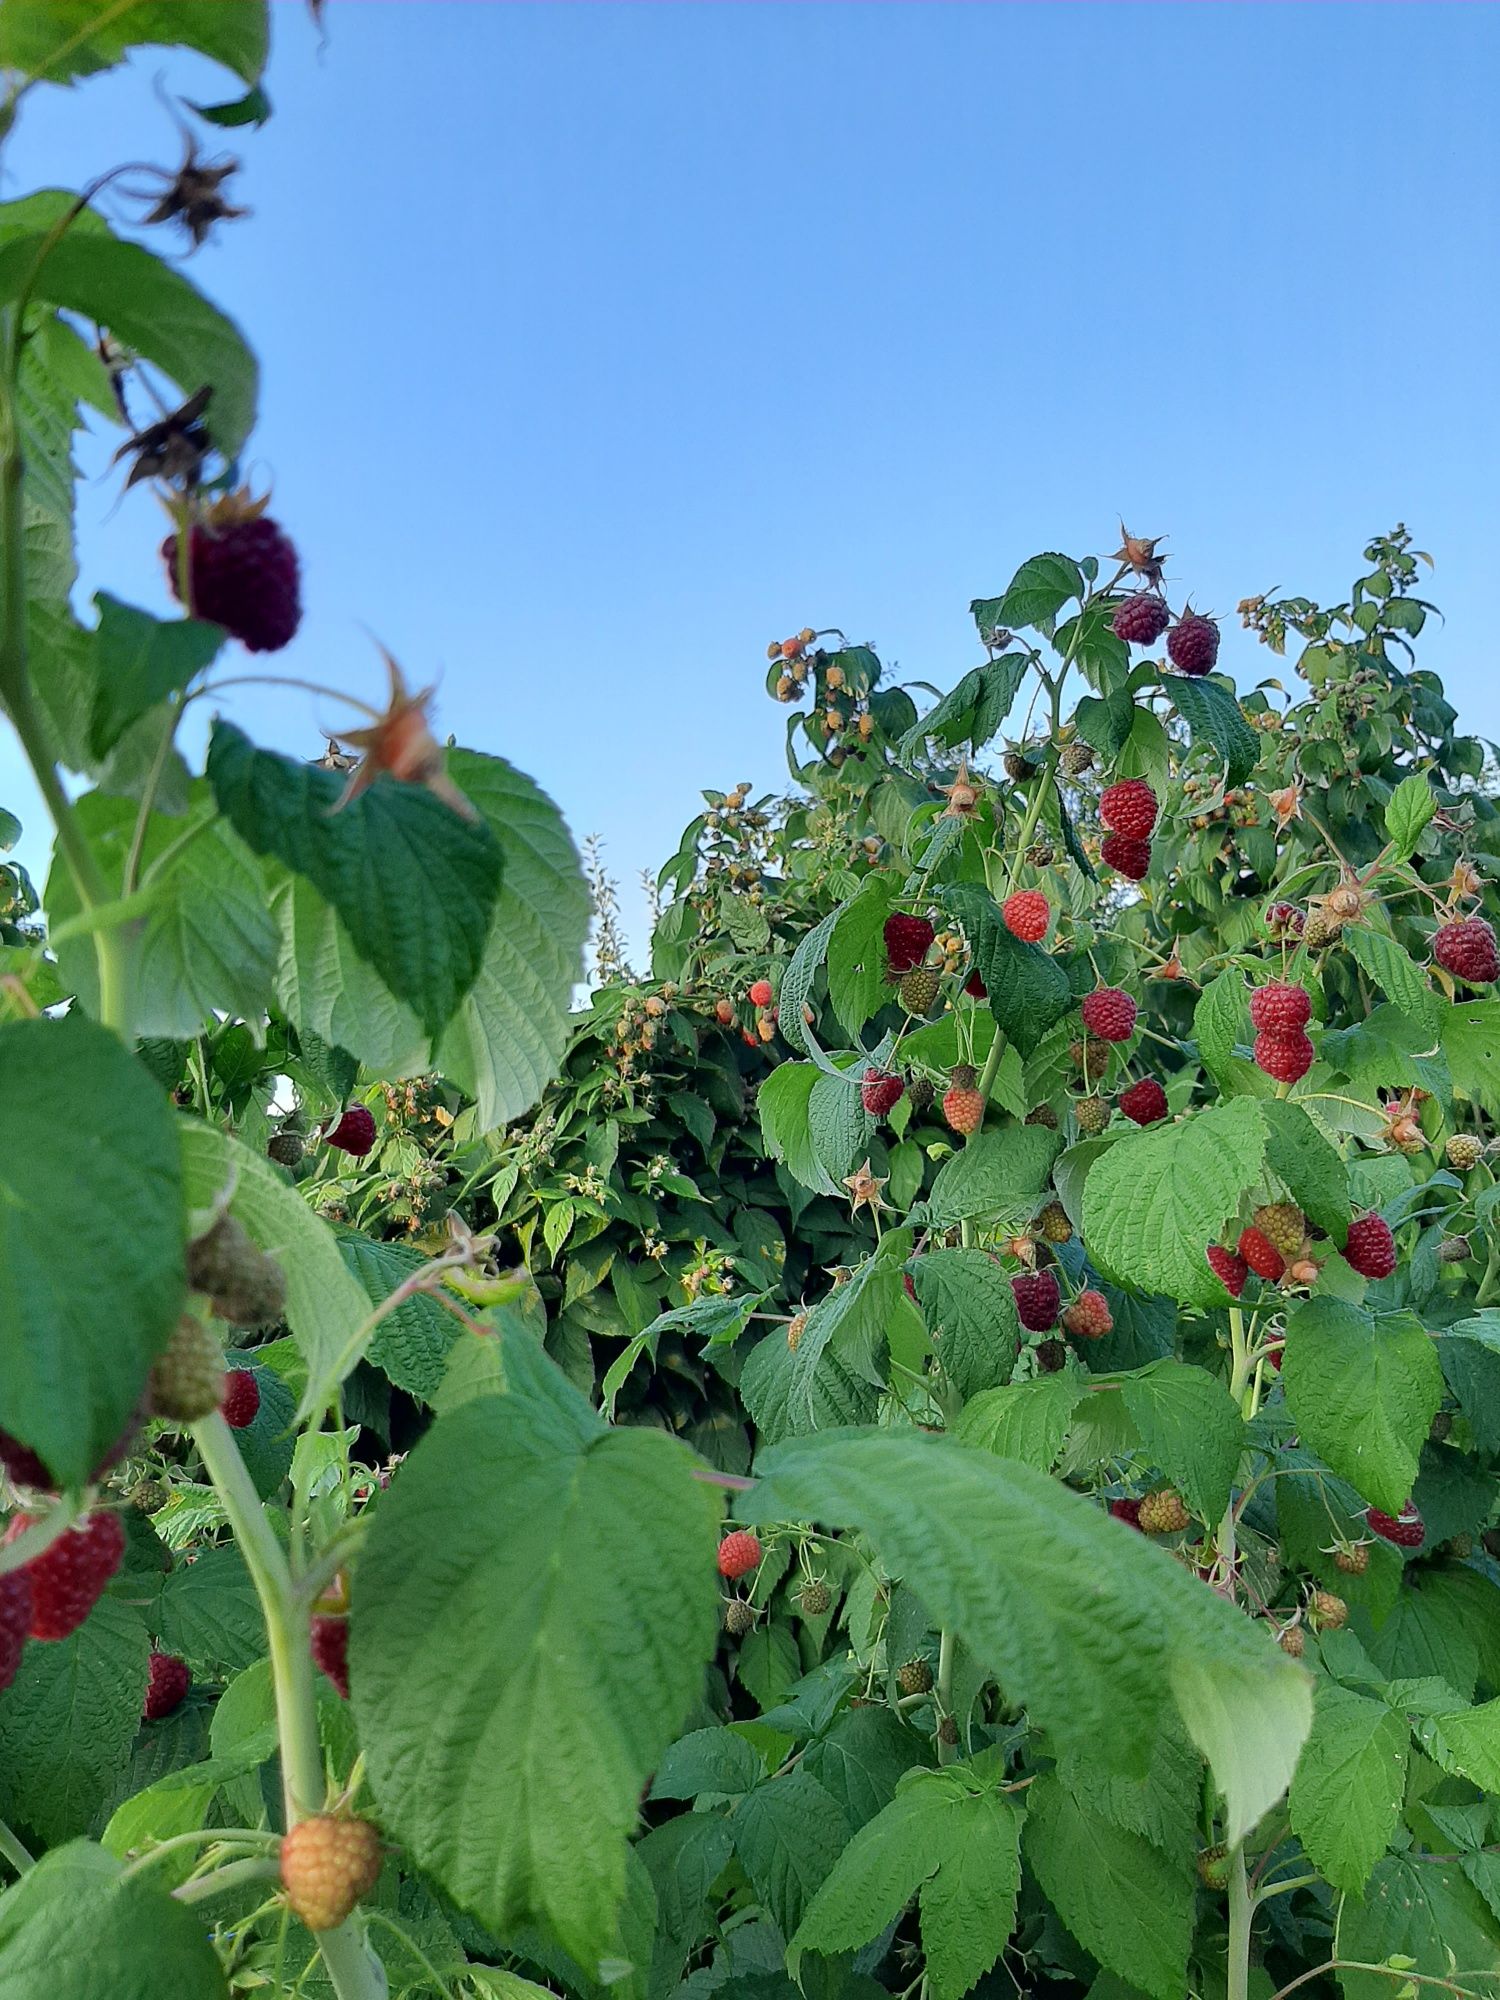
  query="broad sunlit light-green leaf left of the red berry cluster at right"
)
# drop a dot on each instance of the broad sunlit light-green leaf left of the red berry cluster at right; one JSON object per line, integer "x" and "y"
{"x": 1157, "y": 1199}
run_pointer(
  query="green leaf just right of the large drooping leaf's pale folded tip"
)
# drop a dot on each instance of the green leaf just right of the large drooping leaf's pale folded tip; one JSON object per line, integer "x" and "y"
{"x": 1349, "y": 1785}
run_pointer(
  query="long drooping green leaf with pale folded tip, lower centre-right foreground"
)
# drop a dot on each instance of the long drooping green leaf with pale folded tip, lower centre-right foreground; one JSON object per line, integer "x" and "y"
{"x": 1089, "y": 1667}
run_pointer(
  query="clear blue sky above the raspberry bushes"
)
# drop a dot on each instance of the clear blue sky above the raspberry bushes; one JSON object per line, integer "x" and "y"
{"x": 607, "y": 343}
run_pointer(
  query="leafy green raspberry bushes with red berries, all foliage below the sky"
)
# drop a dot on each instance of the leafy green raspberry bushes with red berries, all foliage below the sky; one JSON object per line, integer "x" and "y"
{"x": 903, "y": 1449}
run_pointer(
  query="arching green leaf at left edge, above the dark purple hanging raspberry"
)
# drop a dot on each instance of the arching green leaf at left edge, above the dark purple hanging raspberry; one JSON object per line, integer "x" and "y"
{"x": 145, "y": 303}
